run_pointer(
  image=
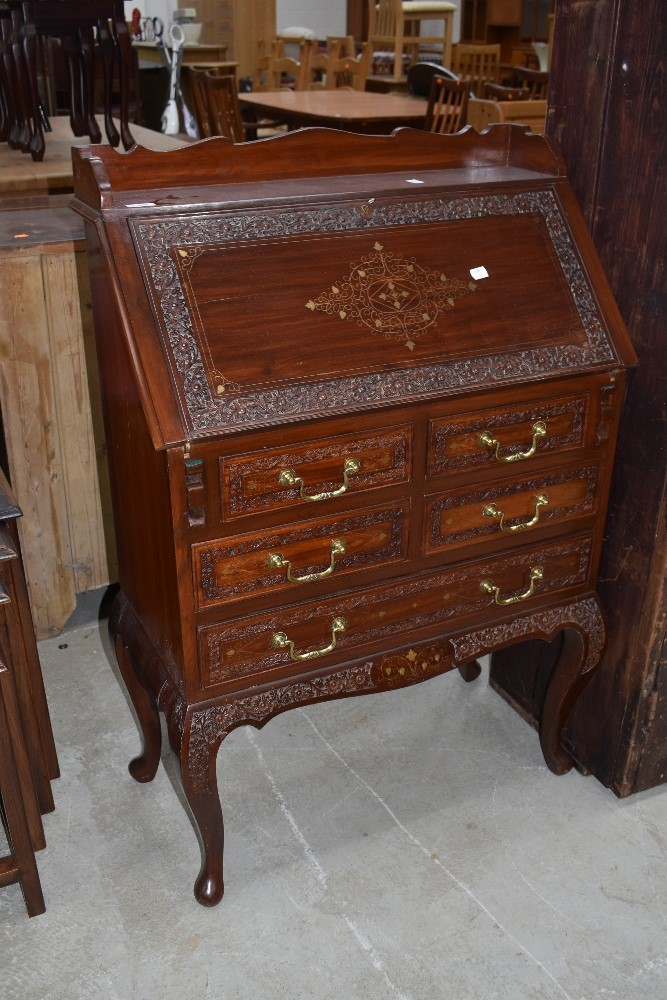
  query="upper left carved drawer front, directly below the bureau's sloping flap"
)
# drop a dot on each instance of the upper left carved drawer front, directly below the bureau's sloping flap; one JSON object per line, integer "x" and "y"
{"x": 314, "y": 472}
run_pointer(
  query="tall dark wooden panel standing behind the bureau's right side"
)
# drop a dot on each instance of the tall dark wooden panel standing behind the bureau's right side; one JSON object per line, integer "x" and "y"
{"x": 607, "y": 82}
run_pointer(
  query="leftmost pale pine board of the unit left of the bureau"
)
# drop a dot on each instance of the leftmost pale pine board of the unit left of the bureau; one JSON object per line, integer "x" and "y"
{"x": 33, "y": 445}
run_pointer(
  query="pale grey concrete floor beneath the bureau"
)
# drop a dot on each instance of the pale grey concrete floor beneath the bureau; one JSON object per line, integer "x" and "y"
{"x": 406, "y": 846}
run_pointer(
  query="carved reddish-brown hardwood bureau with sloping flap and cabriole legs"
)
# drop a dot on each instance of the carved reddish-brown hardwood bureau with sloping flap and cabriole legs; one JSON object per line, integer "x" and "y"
{"x": 361, "y": 398}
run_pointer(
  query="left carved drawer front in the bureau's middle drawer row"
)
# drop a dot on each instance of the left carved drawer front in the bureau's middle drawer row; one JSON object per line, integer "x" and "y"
{"x": 290, "y": 558}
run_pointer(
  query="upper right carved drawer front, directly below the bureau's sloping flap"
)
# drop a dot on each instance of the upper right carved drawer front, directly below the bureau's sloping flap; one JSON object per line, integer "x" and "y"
{"x": 506, "y": 436}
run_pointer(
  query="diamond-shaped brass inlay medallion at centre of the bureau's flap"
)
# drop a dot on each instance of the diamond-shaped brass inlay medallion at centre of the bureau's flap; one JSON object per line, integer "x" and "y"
{"x": 392, "y": 296}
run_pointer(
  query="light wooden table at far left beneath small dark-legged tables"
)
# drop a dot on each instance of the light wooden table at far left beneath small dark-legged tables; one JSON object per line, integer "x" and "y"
{"x": 20, "y": 176}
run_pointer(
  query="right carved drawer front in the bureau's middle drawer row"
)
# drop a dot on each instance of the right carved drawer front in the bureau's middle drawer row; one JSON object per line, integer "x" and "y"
{"x": 508, "y": 510}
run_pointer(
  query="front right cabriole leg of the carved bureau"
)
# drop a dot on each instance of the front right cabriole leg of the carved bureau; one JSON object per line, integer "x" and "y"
{"x": 565, "y": 686}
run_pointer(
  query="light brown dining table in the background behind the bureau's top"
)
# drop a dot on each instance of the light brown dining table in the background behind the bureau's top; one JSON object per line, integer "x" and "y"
{"x": 350, "y": 110}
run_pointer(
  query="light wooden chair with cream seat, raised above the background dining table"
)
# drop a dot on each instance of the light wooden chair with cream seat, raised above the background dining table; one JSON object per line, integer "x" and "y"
{"x": 395, "y": 25}
